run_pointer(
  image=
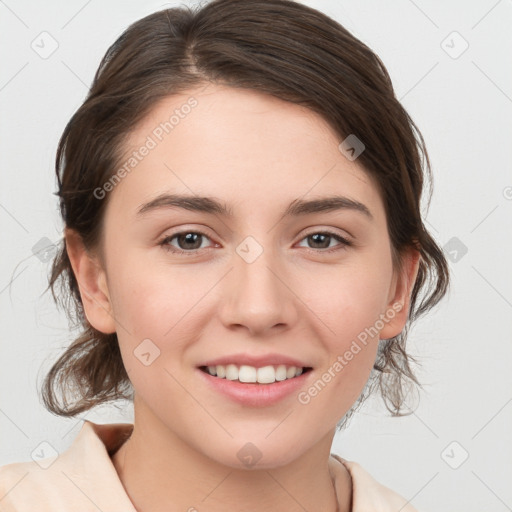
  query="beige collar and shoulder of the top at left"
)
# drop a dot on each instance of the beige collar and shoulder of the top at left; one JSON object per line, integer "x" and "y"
{"x": 81, "y": 478}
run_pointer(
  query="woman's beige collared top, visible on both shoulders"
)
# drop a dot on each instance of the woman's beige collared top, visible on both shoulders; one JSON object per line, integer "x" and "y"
{"x": 84, "y": 479}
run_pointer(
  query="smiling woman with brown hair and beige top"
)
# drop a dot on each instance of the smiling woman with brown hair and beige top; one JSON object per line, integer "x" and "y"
{"x": 245, "y": 249}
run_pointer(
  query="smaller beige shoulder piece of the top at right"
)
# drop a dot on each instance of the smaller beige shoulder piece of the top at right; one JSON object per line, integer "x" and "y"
{"x": 369, "y": 494}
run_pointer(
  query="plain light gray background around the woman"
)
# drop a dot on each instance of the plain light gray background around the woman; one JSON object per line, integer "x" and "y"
{"x": 462, "y": 106}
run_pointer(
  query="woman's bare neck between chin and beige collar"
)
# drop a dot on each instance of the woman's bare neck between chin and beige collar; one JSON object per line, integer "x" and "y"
{"x": 161, "y": 472}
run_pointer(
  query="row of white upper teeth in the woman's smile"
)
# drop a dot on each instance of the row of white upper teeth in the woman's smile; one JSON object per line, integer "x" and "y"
{"x": 264, "y": 375}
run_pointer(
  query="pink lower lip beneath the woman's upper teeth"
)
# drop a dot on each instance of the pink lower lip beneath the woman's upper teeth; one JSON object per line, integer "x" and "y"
{"x": 254, "y": 394}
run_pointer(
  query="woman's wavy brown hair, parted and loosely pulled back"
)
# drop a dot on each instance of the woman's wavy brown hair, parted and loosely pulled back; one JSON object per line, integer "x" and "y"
{"x": 278, "y": 47}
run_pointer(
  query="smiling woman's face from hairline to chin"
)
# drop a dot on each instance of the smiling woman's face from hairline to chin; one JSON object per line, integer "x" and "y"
{"x": 262, "y": 277}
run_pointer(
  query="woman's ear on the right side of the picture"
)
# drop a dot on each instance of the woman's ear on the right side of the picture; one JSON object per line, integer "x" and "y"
{"x": 397, "y": 310}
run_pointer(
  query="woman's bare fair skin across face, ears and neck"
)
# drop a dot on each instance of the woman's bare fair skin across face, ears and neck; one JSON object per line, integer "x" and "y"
{"x": 257, "y": 154}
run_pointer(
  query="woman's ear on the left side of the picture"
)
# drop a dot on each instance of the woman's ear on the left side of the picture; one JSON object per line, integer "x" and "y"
{"x": 92, "y": 283}
